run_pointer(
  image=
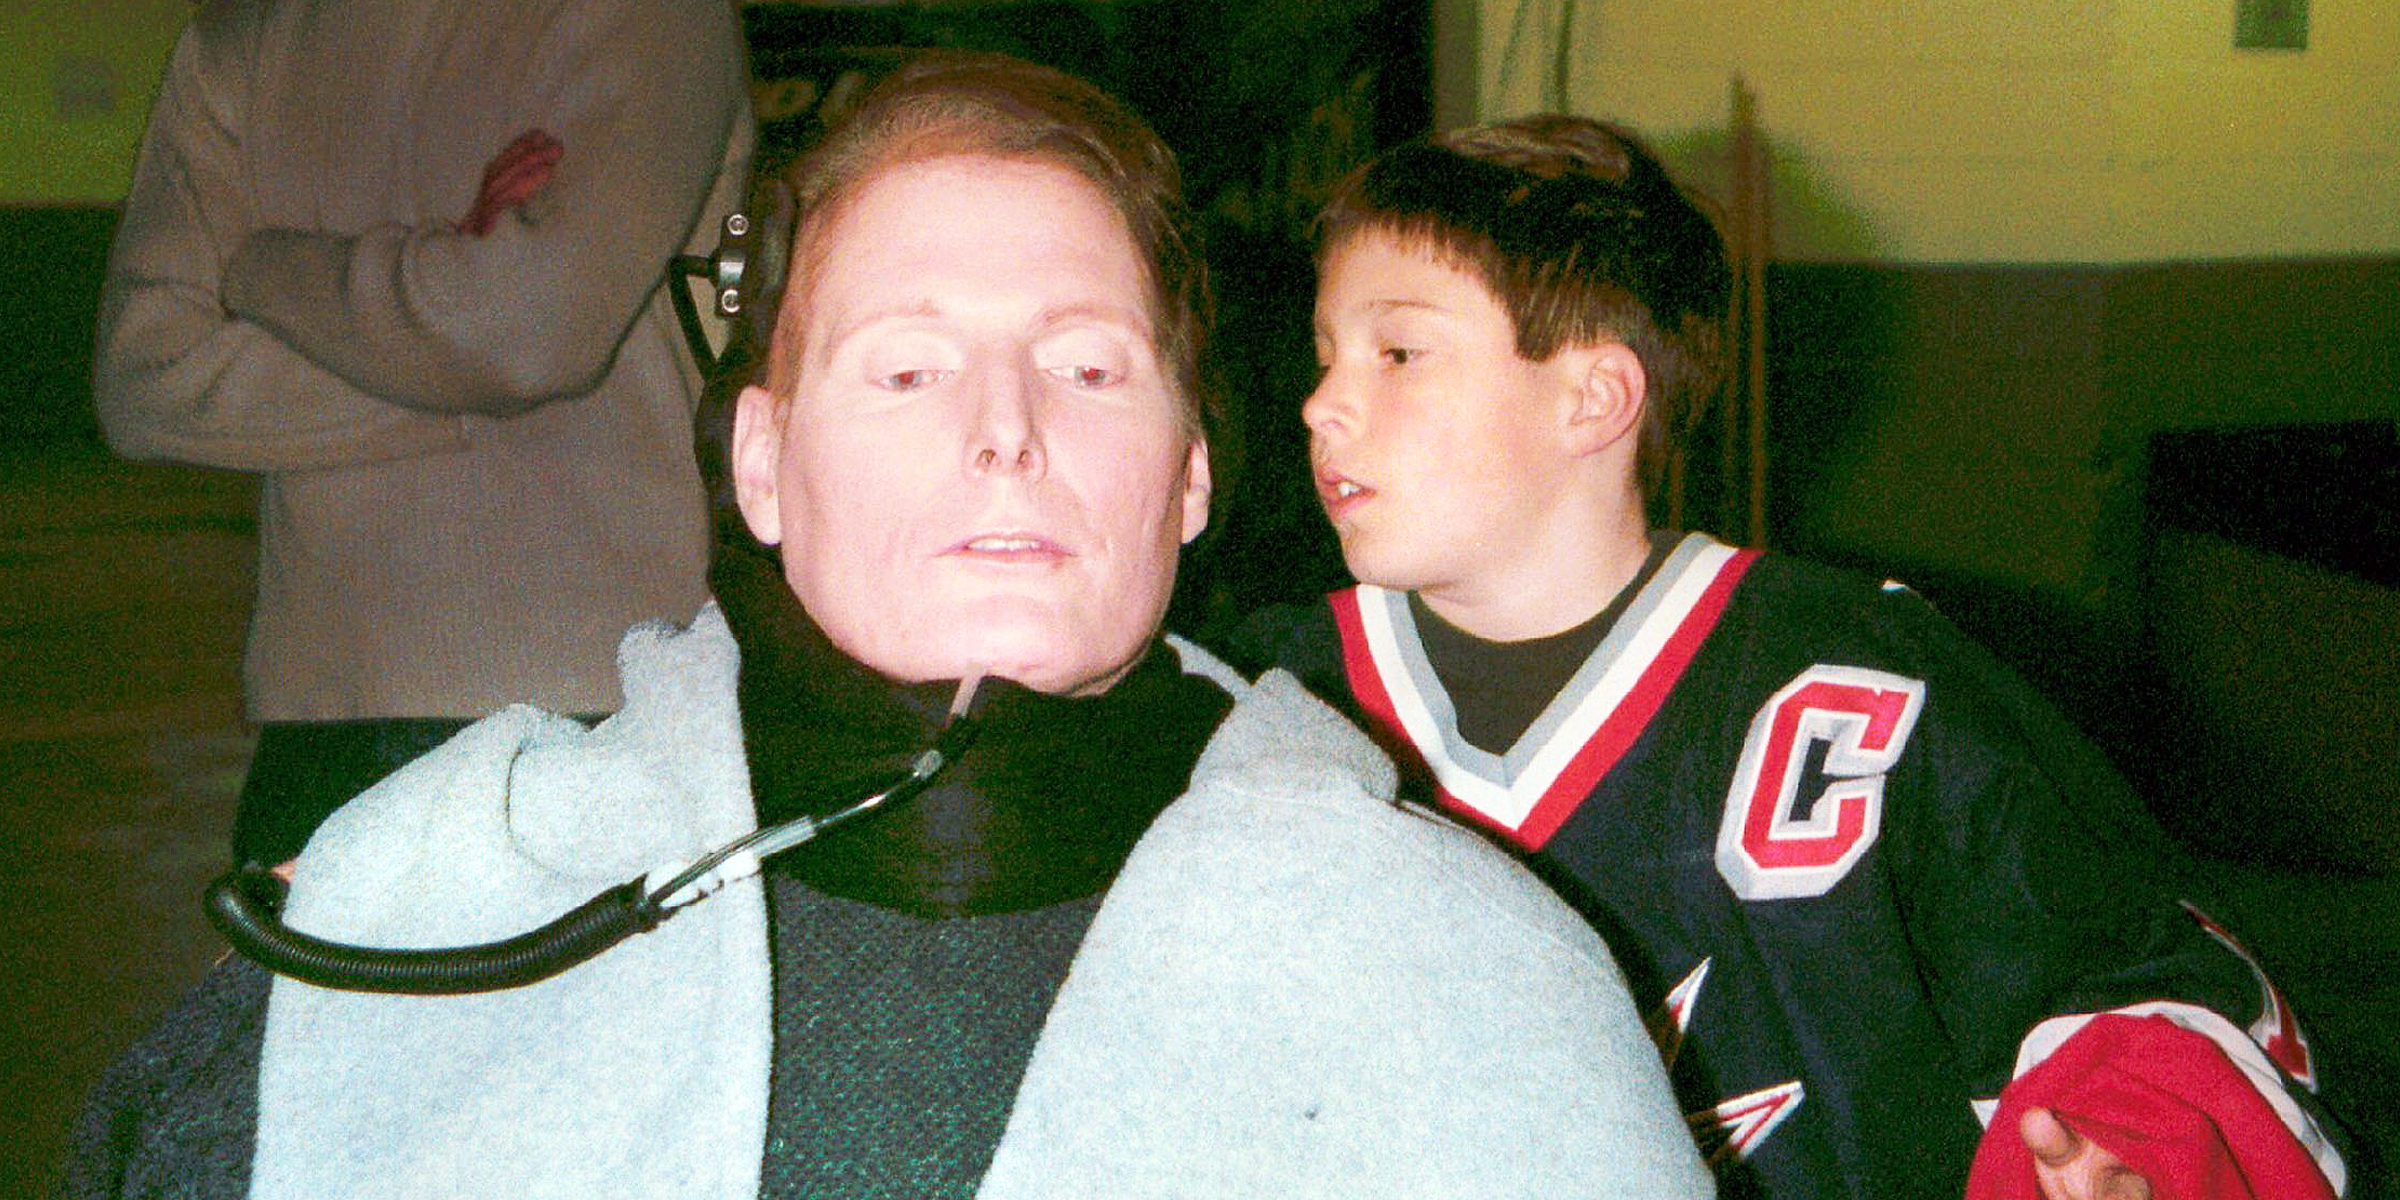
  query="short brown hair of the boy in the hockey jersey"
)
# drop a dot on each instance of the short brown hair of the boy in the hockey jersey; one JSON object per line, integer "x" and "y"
{"x": 1583, "y": 239}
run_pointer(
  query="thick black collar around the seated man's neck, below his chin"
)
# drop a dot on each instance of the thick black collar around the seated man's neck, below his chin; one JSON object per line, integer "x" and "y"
{"x": 1043, "y": 808}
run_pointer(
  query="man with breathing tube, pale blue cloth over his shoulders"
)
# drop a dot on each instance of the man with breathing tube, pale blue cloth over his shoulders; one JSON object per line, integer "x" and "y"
{"x": 1153, "y": 935}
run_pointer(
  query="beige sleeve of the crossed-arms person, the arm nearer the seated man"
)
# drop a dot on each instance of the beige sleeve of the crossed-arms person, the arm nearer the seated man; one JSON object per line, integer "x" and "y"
{"x": 644, "y": 100}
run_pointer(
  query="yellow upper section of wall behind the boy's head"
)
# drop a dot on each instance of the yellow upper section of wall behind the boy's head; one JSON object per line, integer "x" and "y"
{"x": 2029, "y": 131}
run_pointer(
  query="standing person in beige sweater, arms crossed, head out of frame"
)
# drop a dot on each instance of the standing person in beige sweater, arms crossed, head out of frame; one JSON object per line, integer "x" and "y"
{"x": 404, "y": 260}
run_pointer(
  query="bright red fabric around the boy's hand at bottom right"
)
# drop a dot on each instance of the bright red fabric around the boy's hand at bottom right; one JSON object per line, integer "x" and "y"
{"x": 2161, "y": 1098}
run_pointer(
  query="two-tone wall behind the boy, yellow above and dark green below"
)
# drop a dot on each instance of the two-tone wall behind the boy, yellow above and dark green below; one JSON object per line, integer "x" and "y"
{"x": 2017, "y": 241}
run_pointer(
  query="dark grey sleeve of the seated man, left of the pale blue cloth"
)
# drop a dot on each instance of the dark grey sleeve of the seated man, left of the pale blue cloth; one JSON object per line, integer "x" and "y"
{"x": 176, "y": 1112}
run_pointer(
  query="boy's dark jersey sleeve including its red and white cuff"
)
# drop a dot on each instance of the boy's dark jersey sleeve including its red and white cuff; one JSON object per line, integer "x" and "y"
{"x": 2044, "y": 906}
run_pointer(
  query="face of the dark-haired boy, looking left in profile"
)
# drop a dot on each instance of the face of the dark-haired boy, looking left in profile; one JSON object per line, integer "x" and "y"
{"x": 1439, "y": 450}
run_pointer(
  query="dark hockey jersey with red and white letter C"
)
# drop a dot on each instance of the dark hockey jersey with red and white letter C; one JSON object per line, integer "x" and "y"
{"x": 1854, "y": 868}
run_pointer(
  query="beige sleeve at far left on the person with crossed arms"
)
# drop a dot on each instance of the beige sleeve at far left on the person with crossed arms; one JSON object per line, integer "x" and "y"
{"x": 174, "y": 373}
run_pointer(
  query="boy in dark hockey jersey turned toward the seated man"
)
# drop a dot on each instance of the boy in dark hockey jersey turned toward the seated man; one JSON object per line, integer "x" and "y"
{"x": 1895, "y": 918}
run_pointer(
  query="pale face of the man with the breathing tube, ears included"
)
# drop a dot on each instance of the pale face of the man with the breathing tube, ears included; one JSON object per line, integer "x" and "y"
{"x": 983, "y": 469}
